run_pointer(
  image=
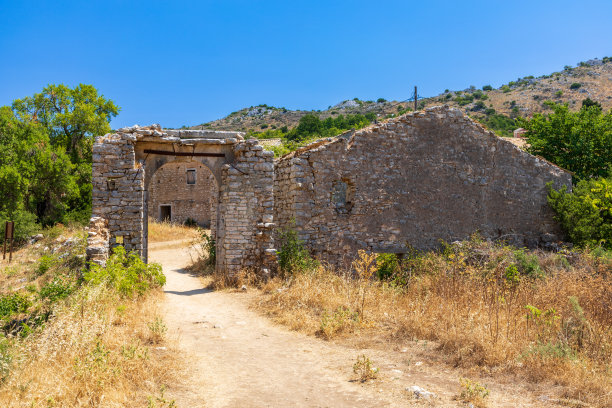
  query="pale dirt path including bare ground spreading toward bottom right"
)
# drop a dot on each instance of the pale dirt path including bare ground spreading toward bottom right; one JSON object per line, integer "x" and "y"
{"x": 238, "y": 358}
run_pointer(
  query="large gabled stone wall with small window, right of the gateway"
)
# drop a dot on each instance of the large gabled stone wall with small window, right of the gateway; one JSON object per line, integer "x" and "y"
{"x": 411, "y": 182}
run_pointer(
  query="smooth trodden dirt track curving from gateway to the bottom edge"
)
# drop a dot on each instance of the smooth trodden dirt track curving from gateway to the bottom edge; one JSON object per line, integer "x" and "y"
{"x": 241, "y": 359}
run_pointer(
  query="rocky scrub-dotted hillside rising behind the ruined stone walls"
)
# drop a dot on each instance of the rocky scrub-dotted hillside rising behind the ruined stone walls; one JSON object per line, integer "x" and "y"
{"x": 522, "y": 97}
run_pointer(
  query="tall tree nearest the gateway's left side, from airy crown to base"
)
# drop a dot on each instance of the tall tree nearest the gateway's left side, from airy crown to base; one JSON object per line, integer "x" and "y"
{"x": 71, "y": 118}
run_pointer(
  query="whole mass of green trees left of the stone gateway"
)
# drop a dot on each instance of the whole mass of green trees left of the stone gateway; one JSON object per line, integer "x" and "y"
{"x": 45, "y": 154}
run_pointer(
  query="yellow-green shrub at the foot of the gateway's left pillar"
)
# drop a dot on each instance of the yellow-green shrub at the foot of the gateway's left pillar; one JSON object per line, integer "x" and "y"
{"x": 126, "y": 273}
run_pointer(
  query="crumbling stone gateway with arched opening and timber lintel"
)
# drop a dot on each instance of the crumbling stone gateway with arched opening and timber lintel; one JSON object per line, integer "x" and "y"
{"x": 124, "y": 164}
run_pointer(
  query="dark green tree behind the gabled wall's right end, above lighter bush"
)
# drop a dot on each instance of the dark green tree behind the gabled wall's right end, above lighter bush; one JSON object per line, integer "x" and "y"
{"x": 577, "y": 141}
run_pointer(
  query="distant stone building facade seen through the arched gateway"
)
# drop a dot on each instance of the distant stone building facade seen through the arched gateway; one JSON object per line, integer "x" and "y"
{"x": 188, "y": 201}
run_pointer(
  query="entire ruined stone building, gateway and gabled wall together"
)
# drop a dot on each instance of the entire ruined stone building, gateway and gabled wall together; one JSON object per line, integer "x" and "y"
{"x": 409, "y": 182}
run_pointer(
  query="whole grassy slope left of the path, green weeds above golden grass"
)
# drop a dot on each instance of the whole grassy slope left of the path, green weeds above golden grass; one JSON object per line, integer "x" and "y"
{"x": 90, "y": 347}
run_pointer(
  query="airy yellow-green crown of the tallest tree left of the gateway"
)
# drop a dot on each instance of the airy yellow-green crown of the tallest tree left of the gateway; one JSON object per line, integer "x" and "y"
{"x": 71, "y": 115}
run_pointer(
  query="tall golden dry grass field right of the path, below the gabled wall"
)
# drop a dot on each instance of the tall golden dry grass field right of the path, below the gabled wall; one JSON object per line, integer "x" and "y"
{"x": 478, "y": 310}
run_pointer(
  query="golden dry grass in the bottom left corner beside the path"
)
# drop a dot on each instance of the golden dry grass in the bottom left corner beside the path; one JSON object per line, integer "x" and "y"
{"x": 97, "y": 351}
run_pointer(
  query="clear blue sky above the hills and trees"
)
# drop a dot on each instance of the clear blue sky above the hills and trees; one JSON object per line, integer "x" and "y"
{"x": 179, "y": 62}
